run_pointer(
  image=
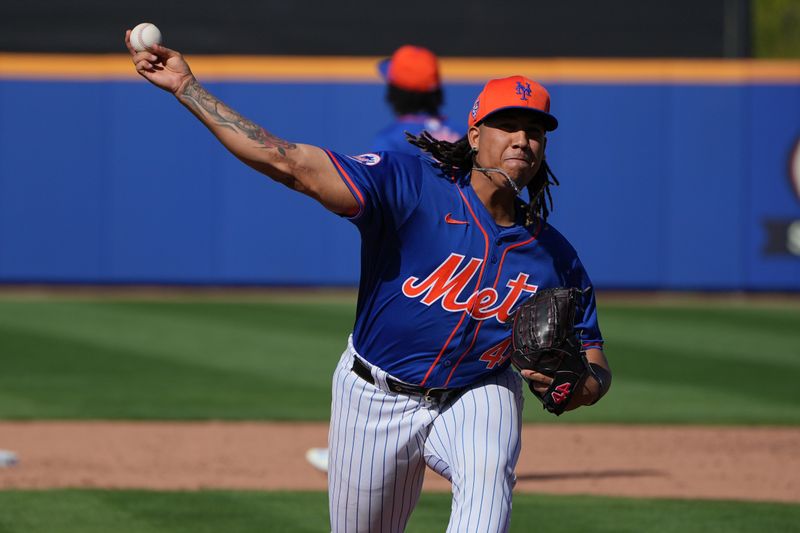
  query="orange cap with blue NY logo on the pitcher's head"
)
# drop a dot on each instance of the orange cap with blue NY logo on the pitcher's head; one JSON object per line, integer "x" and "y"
{"x": 515, "y": 92}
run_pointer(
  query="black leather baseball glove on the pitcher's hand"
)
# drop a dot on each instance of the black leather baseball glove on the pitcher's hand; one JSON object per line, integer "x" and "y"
{"x": 544, "y": 340}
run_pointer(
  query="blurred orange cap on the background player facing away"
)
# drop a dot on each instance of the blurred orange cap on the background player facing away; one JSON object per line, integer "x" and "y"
{"x": 412, "y": 68}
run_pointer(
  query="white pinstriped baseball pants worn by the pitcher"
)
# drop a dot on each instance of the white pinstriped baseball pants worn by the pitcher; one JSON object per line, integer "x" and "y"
{"x": 380, "y": 443}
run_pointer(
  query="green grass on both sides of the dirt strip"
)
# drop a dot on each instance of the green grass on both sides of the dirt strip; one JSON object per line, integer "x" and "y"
{"x": 254, "y": 359}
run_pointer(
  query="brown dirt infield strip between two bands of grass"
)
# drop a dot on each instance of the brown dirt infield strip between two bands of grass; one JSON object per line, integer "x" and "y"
{"x": 637, "y": 461}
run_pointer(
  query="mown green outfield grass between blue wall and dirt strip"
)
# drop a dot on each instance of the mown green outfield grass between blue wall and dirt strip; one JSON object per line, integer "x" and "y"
{"x": 202, "y": 359}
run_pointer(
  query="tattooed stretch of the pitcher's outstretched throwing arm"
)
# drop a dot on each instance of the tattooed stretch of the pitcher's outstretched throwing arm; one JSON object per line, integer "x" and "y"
{"x": 195, "y": 96}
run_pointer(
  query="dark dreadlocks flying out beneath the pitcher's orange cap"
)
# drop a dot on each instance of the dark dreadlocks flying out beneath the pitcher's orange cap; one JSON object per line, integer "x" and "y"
{"x": 458, "y": 157}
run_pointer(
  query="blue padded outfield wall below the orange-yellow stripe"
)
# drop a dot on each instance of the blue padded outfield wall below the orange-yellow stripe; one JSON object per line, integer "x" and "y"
{"x": 663, "y": 186}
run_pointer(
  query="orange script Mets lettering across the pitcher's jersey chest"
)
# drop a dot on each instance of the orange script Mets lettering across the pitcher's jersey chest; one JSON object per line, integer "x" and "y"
{"x": 450, "y": 279}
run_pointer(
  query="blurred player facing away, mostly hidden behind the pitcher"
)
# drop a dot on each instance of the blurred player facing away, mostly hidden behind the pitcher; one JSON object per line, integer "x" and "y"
{"x": 414, "y": 92}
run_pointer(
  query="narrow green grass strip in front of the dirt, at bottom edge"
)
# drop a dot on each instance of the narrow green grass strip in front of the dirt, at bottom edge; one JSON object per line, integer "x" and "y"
{"x": 93, "y": 511}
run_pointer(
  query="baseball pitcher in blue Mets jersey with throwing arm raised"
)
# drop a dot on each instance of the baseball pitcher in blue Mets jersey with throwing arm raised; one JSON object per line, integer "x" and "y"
{"x": 452, "y": 261}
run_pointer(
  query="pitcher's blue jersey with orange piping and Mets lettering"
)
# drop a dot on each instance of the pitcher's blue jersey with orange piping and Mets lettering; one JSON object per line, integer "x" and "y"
{"x": 439, "y": 277}
